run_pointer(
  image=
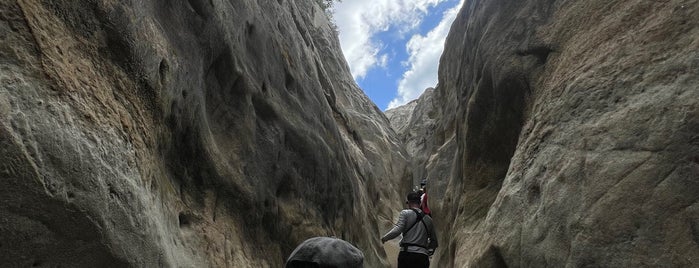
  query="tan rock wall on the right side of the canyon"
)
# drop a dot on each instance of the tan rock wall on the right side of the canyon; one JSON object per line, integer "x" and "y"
{"x": 575, "y": 126}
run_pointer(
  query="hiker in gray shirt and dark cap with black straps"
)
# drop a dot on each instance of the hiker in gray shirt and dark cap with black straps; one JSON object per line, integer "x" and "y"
{"x": 419, "y": 238}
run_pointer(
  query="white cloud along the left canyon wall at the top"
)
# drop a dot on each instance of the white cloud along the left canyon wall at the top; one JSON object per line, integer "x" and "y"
{"x": 359, "y": 20}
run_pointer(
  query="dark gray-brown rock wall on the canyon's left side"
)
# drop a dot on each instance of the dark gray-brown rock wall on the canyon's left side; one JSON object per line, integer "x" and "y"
{"x": 184, "y": 134}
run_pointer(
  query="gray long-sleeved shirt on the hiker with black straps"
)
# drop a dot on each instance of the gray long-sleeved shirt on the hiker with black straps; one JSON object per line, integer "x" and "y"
{"x": 418, "y": 234}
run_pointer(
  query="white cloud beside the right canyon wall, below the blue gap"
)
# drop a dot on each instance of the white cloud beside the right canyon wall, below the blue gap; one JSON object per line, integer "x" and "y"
{"x": 423, "y": 62}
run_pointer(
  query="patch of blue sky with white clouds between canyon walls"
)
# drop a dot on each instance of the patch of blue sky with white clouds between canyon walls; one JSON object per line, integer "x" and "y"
{"x": 393, "y": 46}
